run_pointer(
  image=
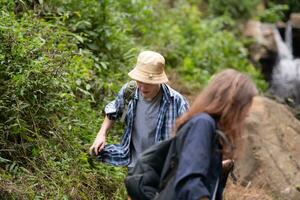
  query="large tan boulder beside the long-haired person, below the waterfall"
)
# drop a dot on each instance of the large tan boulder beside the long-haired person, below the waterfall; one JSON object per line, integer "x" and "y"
{"x": 271, "y": 154}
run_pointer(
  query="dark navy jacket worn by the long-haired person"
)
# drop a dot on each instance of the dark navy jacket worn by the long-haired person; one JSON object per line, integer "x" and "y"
{"x": 199, "y": 161}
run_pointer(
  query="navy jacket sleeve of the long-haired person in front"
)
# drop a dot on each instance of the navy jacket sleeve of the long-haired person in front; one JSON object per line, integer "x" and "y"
{"x": 194, "y": 160}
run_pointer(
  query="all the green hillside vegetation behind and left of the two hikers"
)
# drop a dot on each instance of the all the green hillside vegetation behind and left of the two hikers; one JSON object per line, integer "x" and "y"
{"x": 61, "y": 61}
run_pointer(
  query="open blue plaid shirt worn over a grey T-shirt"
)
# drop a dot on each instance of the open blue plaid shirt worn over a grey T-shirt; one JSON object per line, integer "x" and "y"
{"x": 172, "y": 105}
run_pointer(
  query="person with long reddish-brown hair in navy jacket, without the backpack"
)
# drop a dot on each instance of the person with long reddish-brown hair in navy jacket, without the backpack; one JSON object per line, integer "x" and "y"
{"x": 223, "y": 105}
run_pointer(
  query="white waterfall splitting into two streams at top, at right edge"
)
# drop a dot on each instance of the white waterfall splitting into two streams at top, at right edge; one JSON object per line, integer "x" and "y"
{"x": 286, "y": 73}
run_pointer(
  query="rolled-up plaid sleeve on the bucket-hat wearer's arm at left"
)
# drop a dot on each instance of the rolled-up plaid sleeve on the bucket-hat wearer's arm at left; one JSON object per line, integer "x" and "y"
{"x": 115, "y": 108}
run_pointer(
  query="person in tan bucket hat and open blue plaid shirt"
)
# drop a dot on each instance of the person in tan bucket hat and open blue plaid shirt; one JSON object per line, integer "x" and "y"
{"x": 150, "y": 113}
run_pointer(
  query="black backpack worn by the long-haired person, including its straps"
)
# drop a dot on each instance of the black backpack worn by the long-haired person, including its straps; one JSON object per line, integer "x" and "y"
{"x": 157, "y": 166}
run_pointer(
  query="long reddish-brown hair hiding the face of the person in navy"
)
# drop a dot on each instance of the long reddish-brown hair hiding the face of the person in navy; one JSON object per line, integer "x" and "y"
{"x": 228, "y": 98}
